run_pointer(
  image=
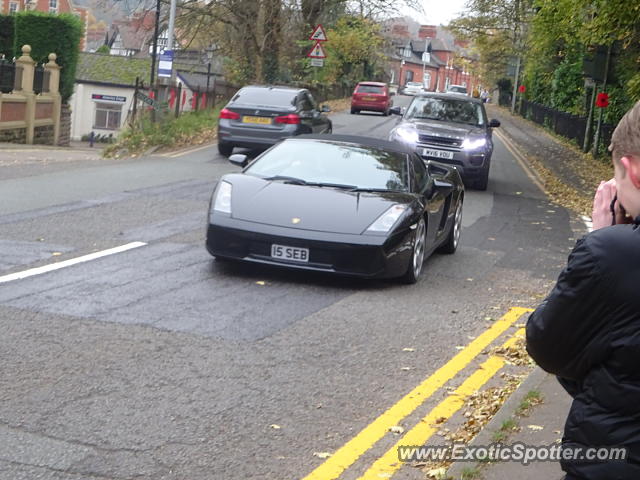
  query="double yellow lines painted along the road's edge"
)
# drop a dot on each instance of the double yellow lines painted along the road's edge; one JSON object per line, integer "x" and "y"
{"x": 386, "y": 465}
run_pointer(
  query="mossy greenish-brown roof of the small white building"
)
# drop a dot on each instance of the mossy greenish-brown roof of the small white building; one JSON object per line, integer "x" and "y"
{"x": 112, "y": 69}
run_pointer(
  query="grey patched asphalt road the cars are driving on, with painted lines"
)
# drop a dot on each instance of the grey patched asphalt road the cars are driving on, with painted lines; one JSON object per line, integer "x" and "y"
{"x": 156, "y": 362}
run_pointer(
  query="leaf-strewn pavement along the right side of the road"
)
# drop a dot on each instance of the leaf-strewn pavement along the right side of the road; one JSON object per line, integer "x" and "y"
{"x": 544, "y": 423}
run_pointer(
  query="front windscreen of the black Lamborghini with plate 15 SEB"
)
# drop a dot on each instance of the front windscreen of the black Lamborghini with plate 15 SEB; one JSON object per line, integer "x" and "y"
{"x": 336, "y": 163}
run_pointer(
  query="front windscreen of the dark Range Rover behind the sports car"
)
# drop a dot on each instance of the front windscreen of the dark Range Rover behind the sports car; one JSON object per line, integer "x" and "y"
{"x": 446, "y": 110}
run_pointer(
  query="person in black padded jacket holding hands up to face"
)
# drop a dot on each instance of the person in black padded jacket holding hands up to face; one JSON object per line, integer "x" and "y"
{"x": 587, "y": 331}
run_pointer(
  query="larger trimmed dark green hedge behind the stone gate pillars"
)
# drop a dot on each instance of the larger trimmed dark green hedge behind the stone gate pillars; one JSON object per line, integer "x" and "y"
{"x": 47, "y": 33}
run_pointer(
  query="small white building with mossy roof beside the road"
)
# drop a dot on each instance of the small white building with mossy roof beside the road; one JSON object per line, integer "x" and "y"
{"x": 103, "y": 92}
